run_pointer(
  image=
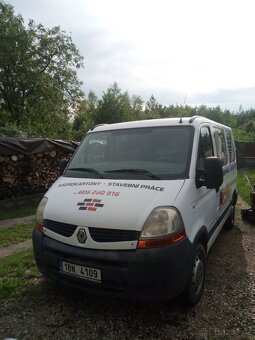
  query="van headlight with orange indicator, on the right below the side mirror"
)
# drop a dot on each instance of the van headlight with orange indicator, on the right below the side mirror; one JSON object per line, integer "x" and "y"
{"x": 163, "y": 226}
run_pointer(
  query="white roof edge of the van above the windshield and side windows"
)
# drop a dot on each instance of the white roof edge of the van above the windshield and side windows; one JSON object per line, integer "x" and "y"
{"x": 184, "y": 121}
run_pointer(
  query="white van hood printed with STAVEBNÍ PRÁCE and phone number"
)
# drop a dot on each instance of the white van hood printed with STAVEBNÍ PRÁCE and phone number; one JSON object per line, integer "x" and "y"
{"x": 104, "y": 203}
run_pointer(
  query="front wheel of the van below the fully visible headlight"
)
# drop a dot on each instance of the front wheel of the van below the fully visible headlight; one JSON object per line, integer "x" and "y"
{"x": 195, "y": 287}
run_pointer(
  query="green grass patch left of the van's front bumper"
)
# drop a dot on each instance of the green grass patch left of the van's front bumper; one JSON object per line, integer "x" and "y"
{"x": 18, "y": 272}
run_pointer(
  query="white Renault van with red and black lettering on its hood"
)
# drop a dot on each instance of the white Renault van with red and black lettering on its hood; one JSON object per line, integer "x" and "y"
{"x": 138, "y": 207}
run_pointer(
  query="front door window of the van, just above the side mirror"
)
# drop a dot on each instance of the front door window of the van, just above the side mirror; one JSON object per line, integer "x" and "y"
{"x": 205, "y": 147}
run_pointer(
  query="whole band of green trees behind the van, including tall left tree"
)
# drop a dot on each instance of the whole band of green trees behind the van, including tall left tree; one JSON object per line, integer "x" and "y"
{"x": 41, "y": 96}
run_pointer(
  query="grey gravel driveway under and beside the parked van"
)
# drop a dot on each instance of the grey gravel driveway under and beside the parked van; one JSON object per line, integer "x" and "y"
{"x": 227, "y": 309}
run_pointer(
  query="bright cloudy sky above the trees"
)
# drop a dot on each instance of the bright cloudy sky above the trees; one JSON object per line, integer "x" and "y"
{"x": 190, "y": 52}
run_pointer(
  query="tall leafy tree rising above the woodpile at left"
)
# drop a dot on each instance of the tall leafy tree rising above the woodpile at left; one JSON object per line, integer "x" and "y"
{"x": 39, "y": 87}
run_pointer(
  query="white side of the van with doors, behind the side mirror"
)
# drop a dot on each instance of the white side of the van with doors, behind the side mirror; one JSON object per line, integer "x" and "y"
{"x": 201, "y": 207}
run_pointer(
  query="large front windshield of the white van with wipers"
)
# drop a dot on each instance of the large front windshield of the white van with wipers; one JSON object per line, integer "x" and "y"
{"x": 158, "y": 152}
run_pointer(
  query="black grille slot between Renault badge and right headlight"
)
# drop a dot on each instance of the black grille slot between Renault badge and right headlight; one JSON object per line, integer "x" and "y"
{"x": 113, "y": 235}
